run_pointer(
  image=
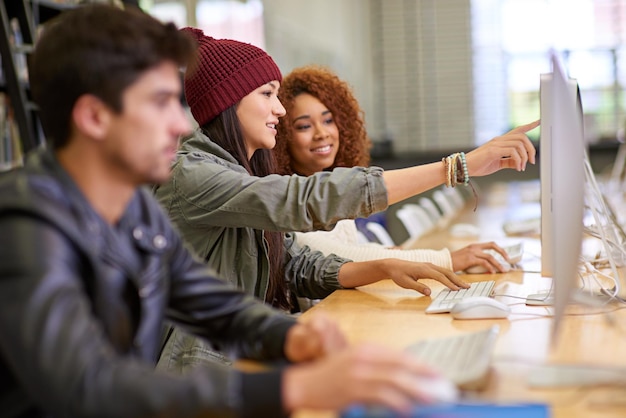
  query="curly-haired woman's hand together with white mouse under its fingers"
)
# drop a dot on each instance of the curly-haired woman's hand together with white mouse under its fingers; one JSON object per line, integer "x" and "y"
{"x": 487, "y": 258}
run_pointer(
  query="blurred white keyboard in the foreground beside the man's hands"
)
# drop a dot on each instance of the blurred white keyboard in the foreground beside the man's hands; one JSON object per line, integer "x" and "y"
{"x": 464, "y": 359}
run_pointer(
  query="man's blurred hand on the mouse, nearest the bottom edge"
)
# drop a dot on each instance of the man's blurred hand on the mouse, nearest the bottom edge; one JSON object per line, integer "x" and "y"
{"x": 366, "y": 374}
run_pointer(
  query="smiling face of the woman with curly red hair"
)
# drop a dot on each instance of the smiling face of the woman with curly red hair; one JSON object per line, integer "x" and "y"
{"x": 314, "y": 139}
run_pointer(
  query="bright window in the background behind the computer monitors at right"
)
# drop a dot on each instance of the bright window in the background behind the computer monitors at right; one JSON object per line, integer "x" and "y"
{"x": 512, "y": 40}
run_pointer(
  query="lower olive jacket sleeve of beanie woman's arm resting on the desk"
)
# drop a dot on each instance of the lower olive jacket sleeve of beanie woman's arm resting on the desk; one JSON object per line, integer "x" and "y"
{"x": 311, "y": 274}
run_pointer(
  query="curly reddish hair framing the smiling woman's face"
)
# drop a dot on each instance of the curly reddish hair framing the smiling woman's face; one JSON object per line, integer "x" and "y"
{"x": 337, "y": 96}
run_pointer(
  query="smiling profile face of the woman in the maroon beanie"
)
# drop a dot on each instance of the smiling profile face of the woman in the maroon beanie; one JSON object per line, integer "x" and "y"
{"x": 258, "y": 114}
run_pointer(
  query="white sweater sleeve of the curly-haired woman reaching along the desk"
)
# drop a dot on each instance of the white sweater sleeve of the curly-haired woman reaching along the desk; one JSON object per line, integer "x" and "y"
{"x": 342, "y": 241}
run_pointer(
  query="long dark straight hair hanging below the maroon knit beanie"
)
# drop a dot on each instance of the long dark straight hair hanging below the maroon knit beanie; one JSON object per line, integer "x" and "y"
{"x": 225, "y": 131}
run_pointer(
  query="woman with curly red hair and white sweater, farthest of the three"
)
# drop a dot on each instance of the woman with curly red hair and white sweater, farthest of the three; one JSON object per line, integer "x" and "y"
{"x": 323, "y": 129}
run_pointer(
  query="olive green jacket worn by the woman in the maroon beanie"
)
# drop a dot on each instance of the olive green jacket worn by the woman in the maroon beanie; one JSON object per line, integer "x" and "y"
{"x": 222, "y": 211}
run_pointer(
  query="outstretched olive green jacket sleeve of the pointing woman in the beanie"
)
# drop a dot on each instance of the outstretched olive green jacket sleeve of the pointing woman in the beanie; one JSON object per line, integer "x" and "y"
{"x": 208, "y": 193}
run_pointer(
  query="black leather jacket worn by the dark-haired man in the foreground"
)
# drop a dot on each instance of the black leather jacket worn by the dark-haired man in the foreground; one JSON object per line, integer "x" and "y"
{"x": 82, "y": 304}
